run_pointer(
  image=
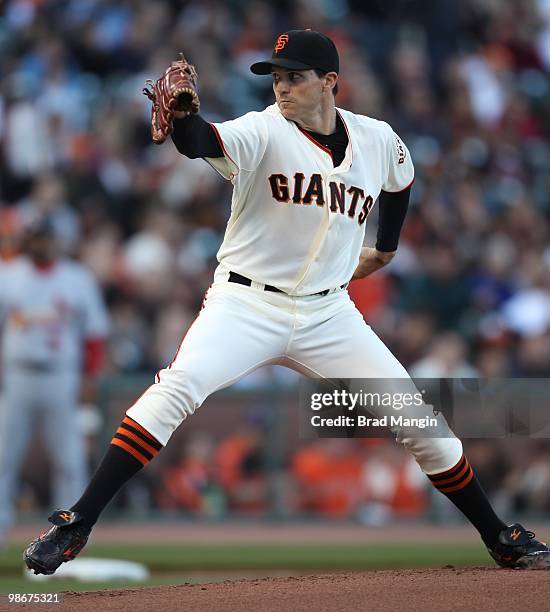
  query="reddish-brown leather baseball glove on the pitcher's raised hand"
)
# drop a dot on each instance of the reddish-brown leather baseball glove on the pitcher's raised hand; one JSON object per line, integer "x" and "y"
{"x": 176, "y": 90}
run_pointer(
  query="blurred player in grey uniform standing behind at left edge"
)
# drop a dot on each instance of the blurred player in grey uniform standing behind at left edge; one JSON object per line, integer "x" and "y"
{"x": 54, "y": 327}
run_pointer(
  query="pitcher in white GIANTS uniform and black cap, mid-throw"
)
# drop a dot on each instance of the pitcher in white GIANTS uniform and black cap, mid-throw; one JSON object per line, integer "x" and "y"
{"x": 305, "y": 177}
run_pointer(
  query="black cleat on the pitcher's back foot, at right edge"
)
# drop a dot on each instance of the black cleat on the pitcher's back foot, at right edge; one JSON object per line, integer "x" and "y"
{"x": 517, "y": 548}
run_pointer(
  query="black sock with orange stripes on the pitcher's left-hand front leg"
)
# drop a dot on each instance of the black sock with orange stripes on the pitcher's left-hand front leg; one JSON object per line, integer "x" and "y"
{"x": 132, "y": 447}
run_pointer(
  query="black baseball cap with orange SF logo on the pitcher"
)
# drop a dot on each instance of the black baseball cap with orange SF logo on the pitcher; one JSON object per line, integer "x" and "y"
{"x": 301, "y": 50}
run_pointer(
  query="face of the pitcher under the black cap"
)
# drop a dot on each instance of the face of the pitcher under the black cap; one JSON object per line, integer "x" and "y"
{"x": 297, "y": 92}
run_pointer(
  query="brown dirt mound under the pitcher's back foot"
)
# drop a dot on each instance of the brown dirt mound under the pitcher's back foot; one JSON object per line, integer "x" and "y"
{"x": 448, "y": 589}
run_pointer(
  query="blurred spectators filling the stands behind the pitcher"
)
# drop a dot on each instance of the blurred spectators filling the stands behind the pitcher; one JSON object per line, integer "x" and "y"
{"x": 465, "y": 84}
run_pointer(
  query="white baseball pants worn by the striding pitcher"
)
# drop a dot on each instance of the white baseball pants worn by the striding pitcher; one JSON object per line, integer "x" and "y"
{"x": 241, "y": 328}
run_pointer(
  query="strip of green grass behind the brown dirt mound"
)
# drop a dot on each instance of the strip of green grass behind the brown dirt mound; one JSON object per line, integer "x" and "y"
{"x": 170, "y": 563}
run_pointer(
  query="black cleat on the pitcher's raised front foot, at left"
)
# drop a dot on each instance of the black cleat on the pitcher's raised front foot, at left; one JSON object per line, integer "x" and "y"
{"x": 59, "y": 544}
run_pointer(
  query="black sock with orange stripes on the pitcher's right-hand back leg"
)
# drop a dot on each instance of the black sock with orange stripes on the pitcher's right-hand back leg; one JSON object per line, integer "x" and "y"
{"x": 461, "y": 486}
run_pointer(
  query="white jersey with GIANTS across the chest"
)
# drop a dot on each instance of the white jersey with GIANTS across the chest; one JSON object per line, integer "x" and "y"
{"x": 297, "y": 222}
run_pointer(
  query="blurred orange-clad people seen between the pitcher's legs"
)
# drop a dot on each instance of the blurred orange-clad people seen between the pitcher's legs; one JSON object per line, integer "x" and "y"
{"x": 369, "y": 480}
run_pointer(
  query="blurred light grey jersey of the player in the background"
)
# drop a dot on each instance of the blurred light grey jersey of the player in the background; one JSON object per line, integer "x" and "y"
{"x": 48, "y": 313}
